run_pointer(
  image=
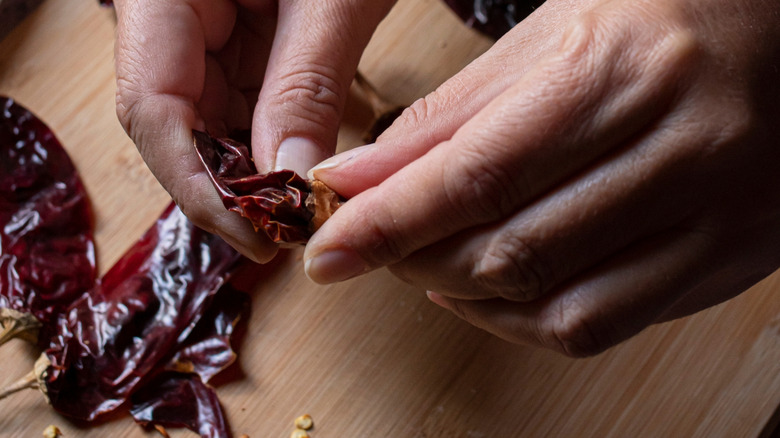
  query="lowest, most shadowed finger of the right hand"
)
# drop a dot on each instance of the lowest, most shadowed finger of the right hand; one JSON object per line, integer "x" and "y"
{"x": 602, "y": 307}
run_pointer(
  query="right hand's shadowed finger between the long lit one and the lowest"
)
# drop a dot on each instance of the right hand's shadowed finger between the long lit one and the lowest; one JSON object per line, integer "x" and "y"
{"x": 569, "y": 230}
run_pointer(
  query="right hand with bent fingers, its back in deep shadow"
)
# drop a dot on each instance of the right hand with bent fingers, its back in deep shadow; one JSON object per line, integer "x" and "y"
{"x": 605, "y": 166}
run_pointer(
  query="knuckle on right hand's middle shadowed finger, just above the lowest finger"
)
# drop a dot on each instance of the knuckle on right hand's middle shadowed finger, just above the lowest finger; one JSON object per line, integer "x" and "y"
{"x": 510, "y": 268}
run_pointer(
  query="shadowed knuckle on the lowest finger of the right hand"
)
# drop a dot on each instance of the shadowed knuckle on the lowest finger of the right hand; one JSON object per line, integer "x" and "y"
{"x": 575, "y": 330}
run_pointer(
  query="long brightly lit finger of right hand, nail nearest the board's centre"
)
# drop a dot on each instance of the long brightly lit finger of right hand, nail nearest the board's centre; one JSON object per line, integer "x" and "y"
{"x": 501, "y": 160}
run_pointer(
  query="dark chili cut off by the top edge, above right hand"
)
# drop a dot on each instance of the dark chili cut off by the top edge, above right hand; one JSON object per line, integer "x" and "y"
{"x": 493, "y": 18}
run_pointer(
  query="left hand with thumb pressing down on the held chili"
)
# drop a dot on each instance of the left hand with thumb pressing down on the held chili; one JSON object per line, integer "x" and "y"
{"x": 281, "y": 68}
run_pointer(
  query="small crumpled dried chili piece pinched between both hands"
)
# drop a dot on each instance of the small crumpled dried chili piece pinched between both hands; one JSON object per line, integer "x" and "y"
{"x": 279, "y": 203}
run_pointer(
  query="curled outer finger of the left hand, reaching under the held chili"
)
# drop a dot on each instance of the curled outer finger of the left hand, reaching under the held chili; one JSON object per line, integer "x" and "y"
{"x": 160, "y": 75}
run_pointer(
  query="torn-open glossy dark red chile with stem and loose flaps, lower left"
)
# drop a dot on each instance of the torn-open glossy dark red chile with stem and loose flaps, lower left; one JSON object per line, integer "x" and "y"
{"x": 152, "y": 327}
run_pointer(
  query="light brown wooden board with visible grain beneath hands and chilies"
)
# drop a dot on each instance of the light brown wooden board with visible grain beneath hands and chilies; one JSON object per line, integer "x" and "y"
{"x": 371, "y": 357}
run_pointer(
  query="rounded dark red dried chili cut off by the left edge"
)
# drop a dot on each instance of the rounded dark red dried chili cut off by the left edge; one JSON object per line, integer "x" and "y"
{"x": 47, "y": 250}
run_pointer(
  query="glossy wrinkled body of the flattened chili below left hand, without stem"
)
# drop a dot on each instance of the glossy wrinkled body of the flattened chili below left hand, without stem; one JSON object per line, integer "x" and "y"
{"x": 119, "y": 334}
